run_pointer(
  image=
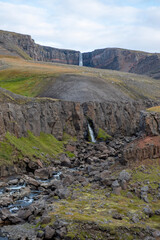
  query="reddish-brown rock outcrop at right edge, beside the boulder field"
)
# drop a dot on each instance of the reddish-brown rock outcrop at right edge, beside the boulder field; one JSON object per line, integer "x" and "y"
{"x": 147, "y": 147}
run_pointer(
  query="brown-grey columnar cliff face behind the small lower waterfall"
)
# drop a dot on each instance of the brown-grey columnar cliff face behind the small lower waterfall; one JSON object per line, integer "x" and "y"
{"x": 57, "y": 117}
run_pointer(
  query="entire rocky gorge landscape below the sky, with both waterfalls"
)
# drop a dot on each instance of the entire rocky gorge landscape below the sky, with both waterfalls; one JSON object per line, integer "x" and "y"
{"x": 79, "y": 146}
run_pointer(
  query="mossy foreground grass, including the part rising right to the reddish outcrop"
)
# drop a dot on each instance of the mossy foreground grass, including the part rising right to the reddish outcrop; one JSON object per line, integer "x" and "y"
{"x": 94, "y": 206}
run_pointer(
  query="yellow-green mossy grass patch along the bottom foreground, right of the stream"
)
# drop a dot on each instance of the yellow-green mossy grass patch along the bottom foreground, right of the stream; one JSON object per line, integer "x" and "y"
{"x": 93, "y": 207}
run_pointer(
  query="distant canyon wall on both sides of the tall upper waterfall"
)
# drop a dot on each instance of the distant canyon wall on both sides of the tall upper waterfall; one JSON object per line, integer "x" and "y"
{"x": 108, "y": 58}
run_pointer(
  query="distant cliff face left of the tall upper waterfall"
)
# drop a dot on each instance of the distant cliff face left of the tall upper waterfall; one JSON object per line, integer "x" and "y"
{"x": 24, "y": 45}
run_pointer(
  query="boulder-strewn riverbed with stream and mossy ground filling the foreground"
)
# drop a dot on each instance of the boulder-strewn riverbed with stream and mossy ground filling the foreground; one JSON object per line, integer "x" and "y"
{"x": 93, "y": 195}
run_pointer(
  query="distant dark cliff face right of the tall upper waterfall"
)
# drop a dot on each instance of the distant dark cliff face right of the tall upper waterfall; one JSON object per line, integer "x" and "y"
{"x": 124, "y": 60}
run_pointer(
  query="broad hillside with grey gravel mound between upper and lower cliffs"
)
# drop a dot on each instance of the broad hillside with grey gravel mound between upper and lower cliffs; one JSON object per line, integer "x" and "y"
{"x": 73, "y": 83}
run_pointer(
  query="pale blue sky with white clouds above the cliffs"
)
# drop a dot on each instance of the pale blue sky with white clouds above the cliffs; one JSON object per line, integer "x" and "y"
{"x": 85, "y": 25}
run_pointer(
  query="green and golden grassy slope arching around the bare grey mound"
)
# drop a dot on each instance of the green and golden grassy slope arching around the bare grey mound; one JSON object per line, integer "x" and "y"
{"x": 30, "y": 78}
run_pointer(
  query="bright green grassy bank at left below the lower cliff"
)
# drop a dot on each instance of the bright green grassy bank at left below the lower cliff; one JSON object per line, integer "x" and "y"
{"x": 44, "y": 147}
